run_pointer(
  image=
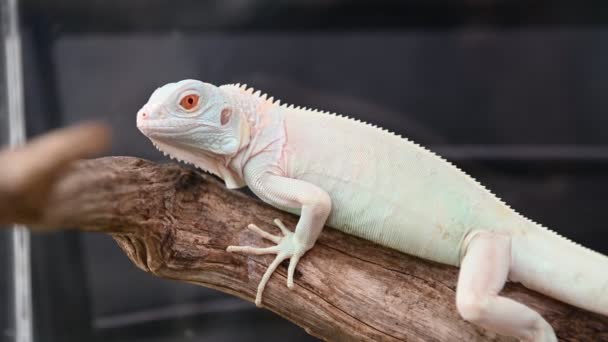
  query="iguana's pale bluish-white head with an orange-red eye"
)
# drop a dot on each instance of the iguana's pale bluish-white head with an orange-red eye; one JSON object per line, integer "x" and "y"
{"x": 193, "y": 121}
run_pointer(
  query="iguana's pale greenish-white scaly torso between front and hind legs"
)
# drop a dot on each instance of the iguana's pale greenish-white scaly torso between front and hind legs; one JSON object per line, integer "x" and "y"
{"x": 387, "y": 189}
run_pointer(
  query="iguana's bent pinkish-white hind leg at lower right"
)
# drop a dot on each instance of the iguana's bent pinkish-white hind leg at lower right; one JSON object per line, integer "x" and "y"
{"x": 483, "y": 273}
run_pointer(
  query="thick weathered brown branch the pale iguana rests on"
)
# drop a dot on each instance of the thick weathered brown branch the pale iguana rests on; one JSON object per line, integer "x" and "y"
{"x": 176, "y": 223}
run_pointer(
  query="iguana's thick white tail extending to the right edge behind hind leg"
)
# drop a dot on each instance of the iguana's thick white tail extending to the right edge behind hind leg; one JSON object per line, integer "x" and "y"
{"x": 551, "y": 264}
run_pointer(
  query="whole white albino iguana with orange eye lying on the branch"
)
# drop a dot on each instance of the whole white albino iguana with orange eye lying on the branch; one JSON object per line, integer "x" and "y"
{"x": 371, "y": 183}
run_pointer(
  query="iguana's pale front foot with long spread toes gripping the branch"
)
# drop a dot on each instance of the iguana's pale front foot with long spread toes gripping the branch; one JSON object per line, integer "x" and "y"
{"x": 286, "y": 248}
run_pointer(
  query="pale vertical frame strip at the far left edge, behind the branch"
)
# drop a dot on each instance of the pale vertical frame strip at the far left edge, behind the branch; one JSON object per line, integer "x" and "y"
{"x": 16, "y": 285}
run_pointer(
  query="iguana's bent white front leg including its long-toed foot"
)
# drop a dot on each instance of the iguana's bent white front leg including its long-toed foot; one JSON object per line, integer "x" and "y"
{"x": 315, "y": 206}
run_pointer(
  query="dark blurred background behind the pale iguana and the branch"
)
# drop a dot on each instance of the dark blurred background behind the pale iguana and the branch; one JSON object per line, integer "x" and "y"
{"x": 512, "y": 91}
